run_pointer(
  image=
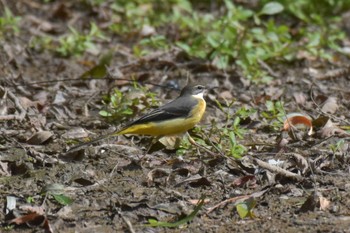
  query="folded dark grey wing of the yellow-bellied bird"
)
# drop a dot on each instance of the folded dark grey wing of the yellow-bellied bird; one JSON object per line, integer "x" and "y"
{"x": 177, "y": 108}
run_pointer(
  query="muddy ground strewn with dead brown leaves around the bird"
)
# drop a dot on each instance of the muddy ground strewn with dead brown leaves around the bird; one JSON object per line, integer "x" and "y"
{"x": 300, "y": 182}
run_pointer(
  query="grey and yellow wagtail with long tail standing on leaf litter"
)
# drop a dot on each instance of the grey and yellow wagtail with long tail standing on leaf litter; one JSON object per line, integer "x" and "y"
{"x": 175, "y": 117}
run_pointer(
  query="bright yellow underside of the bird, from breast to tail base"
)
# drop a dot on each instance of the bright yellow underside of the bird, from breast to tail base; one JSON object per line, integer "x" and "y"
{"x": 169, "y": 127}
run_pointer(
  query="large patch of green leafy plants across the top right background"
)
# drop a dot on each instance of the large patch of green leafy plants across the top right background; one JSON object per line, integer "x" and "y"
{"x": 238, "y": 35}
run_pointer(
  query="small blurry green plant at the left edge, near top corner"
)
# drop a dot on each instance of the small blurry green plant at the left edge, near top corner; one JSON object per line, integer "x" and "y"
{"x": 9, "y": 23}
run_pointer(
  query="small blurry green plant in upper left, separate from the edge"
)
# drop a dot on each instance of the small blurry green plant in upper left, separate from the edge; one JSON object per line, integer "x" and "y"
{"x": 77, "y": 43}
